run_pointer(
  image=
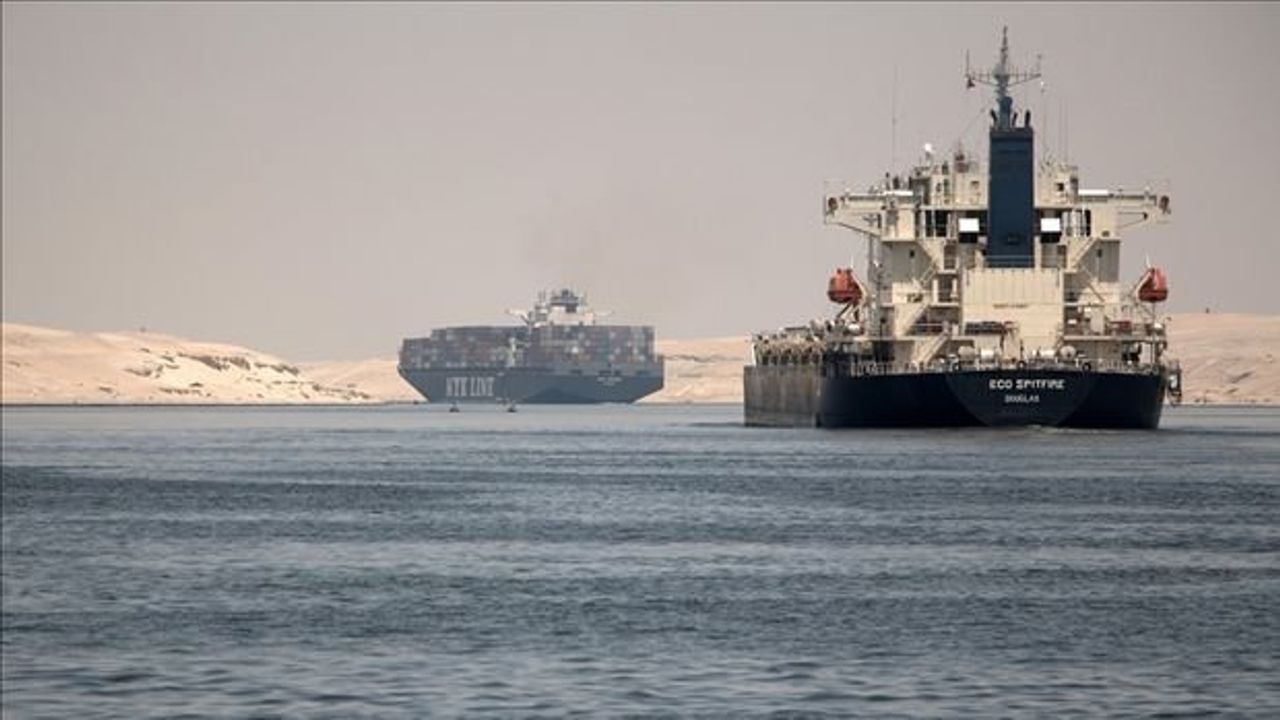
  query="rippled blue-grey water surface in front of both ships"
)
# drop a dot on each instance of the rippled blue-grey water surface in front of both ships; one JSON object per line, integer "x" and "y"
{"x": 406, "y": 562}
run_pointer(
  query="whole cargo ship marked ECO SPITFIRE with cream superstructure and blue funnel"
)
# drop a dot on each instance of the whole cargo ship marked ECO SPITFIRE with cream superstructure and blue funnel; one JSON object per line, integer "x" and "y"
{"x": 994, "y": 297}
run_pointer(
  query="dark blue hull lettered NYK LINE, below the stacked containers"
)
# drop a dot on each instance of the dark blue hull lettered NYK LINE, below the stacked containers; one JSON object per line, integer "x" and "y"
{"x": 529, "y": 386}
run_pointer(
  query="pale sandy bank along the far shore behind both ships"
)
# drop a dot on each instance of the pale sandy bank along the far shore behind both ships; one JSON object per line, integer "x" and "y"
{"x": 1226, "y": 358}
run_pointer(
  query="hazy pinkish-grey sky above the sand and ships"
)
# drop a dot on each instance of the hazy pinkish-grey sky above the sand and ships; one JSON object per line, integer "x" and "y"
{"x": 319, "y": 181}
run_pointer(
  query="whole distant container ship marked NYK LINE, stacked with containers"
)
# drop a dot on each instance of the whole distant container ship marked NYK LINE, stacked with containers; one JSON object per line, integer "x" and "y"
{"x": 559, "y": 354}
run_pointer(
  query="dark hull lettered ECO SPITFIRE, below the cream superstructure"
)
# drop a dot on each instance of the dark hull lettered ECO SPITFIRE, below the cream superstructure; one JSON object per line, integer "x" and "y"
{"x": 802, "y": 397}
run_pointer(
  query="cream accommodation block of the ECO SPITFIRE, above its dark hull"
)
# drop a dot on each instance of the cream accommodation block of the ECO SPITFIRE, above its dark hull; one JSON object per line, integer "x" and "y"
{"x": 939, "y": 282}
